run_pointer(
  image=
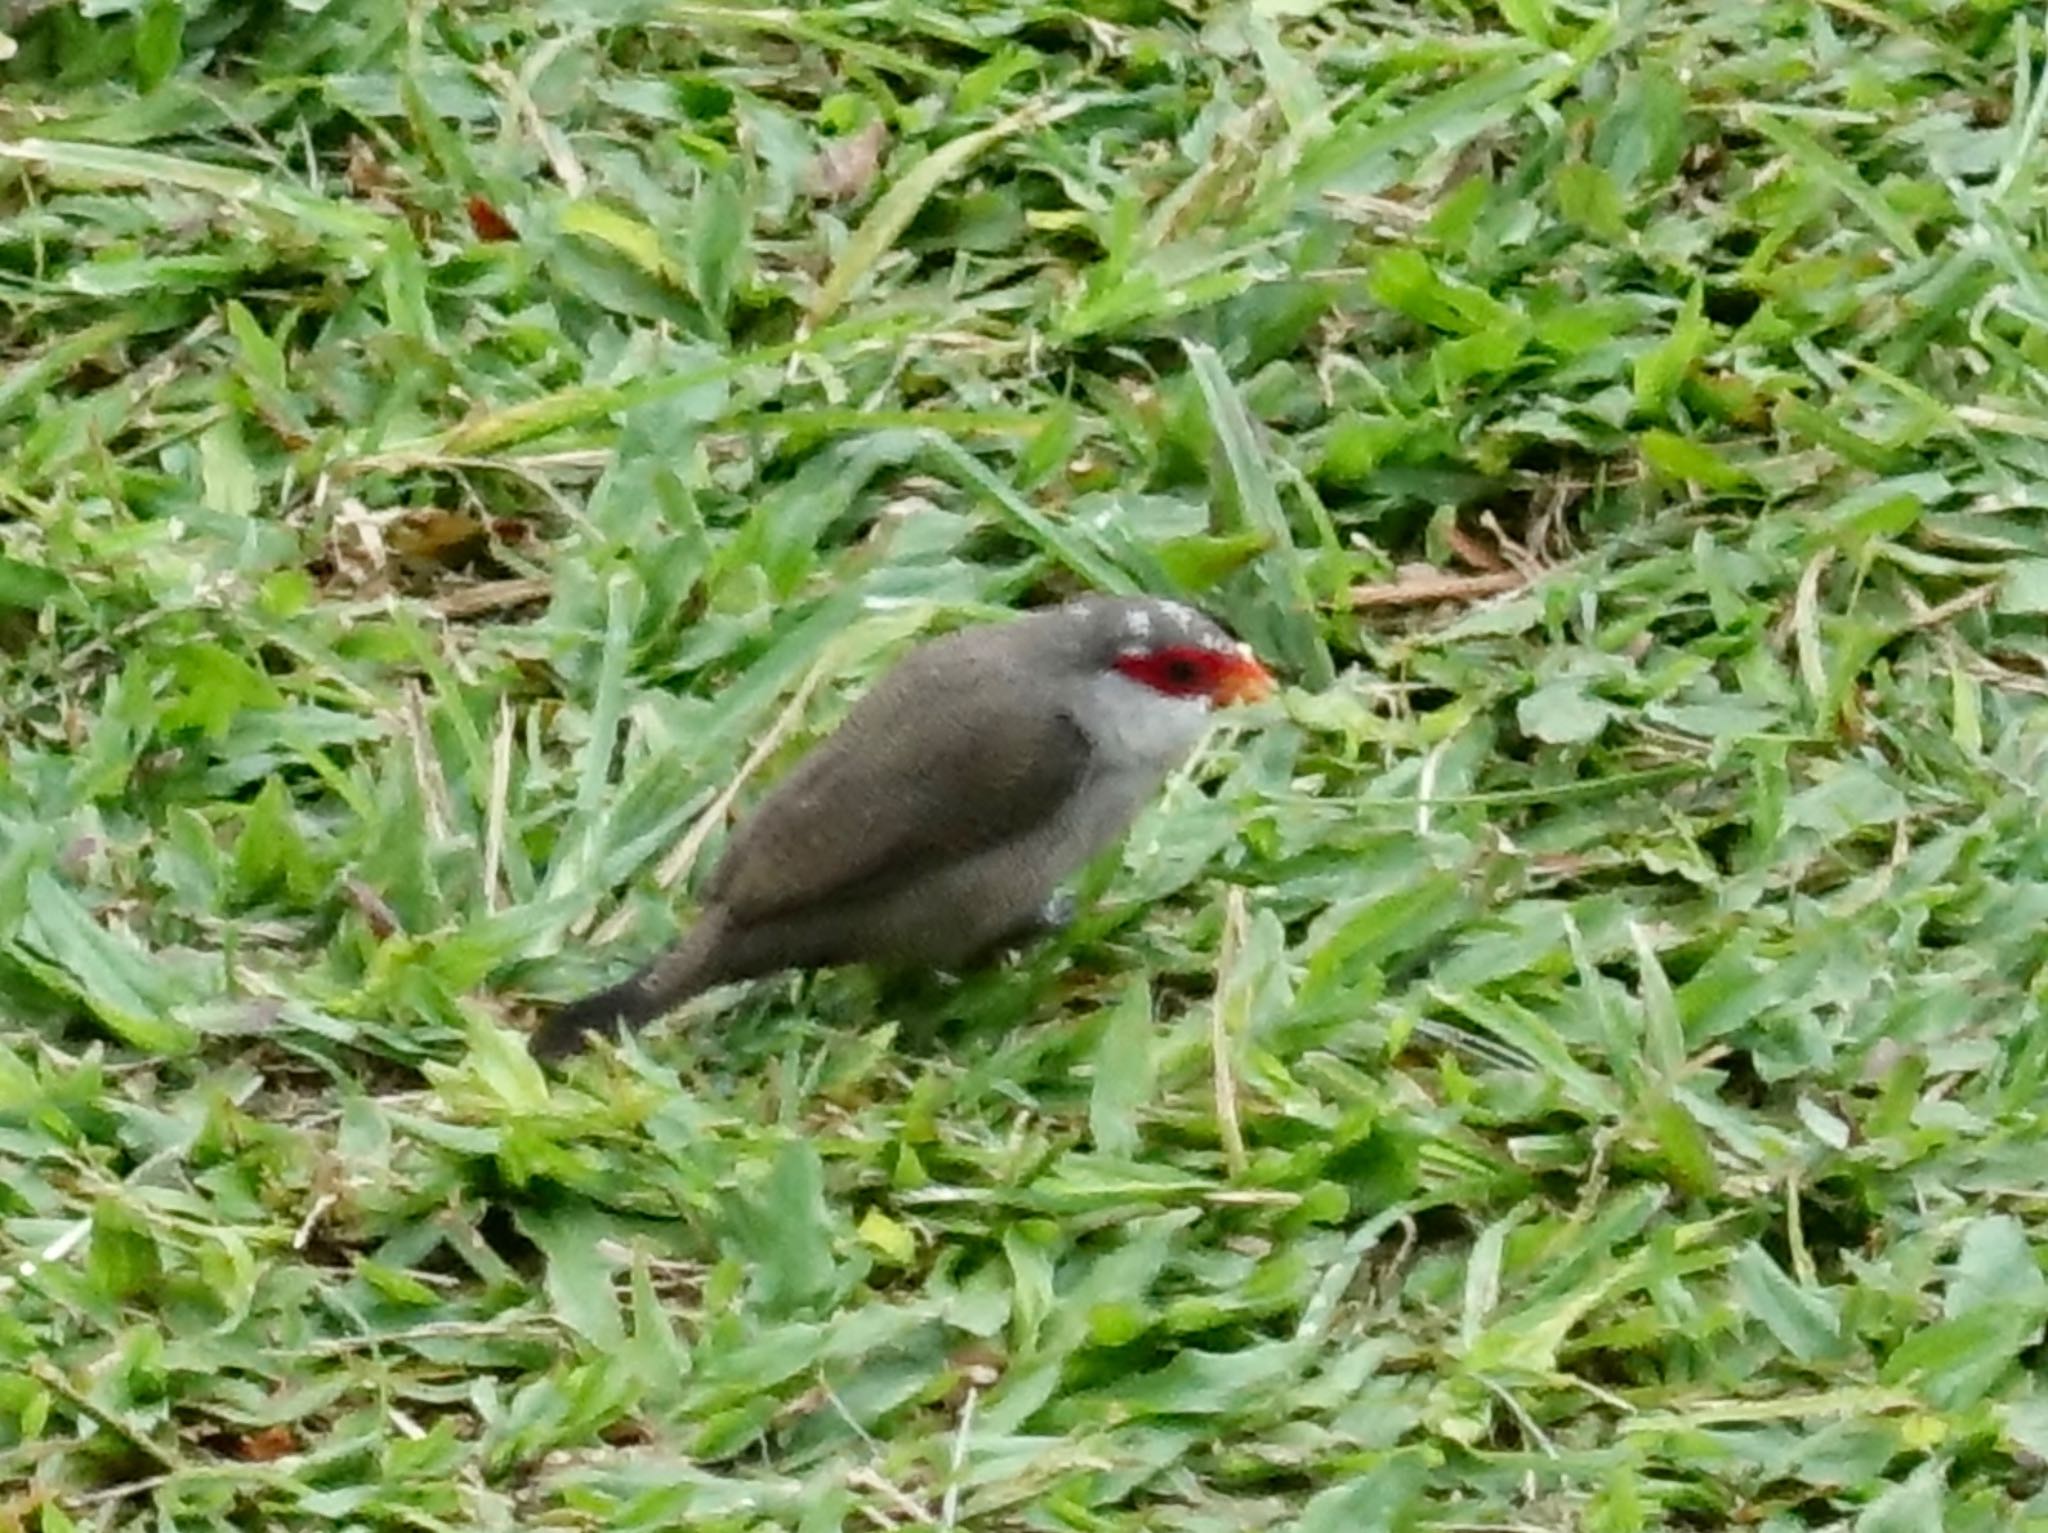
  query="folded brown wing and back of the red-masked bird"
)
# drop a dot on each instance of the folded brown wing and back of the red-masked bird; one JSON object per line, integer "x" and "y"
{"x": 945, "y": 758}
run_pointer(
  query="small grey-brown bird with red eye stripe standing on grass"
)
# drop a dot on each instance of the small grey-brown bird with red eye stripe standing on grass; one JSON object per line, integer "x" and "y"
{"x": 935, "y": 826}
